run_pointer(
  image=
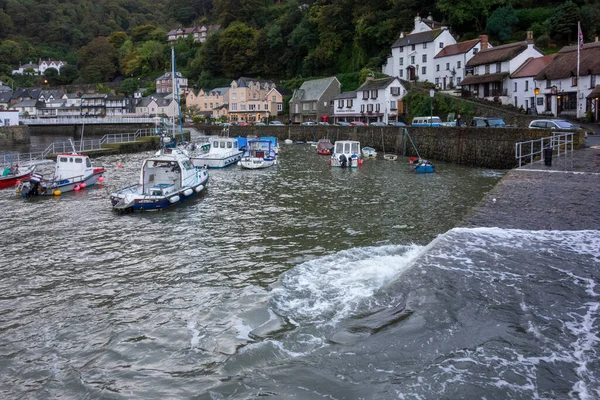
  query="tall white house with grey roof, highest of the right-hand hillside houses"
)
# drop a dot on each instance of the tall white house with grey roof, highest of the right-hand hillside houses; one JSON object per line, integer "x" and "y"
{"x": 413, "y": 54}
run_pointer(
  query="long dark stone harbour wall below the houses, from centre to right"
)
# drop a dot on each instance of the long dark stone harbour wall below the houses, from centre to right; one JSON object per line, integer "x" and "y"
{"x": 478, "y": 147}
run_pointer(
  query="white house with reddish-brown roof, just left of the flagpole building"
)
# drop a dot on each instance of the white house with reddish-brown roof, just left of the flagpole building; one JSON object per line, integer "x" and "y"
{"x": 522, "y": 84}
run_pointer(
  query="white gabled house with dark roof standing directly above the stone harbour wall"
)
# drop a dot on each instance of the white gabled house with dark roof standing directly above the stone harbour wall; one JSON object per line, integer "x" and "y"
{"x": 380, "y": 100}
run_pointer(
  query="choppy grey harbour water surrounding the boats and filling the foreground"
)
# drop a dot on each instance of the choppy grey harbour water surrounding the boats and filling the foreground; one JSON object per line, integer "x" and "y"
{"x": 299, "y": 281}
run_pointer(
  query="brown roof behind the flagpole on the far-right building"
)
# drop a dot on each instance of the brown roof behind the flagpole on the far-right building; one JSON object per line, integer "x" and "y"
{"x": 564, "y": 65}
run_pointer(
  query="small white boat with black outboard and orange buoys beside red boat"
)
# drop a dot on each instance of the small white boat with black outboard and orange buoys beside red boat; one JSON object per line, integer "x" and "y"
{"x": 72, "y": 172}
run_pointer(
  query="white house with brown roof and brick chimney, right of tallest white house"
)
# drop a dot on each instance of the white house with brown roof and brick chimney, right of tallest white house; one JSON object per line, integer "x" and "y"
{"x": 451, "y": 61}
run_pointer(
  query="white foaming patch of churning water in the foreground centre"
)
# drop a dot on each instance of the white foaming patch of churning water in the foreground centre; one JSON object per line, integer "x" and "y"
{"x": 331, "y": 288}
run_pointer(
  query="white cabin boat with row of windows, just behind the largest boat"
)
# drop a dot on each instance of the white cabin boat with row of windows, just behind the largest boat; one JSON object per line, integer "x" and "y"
{"x": 217, "y": 152}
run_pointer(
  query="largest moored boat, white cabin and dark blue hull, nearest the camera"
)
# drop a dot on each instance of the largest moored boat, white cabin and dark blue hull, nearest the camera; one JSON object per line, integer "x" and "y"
{"x": 167, "y": 178}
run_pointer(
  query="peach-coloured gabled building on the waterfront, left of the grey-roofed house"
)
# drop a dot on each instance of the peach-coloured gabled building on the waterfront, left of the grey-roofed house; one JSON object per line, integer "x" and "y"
{"x": 251, "y": 100}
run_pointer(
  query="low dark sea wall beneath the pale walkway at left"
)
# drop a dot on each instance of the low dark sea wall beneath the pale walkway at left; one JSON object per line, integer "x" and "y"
{"x": 91, "y": 130}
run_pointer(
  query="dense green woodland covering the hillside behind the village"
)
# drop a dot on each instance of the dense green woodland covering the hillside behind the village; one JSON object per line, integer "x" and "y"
{"x": 285, "y": 40}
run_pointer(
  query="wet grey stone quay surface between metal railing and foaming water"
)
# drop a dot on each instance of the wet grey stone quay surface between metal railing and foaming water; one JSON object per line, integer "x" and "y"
{"x": 563, "y": 196}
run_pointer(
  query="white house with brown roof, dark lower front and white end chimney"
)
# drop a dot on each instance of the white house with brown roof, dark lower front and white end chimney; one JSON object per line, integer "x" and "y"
{"x": 488, "y": 72}
